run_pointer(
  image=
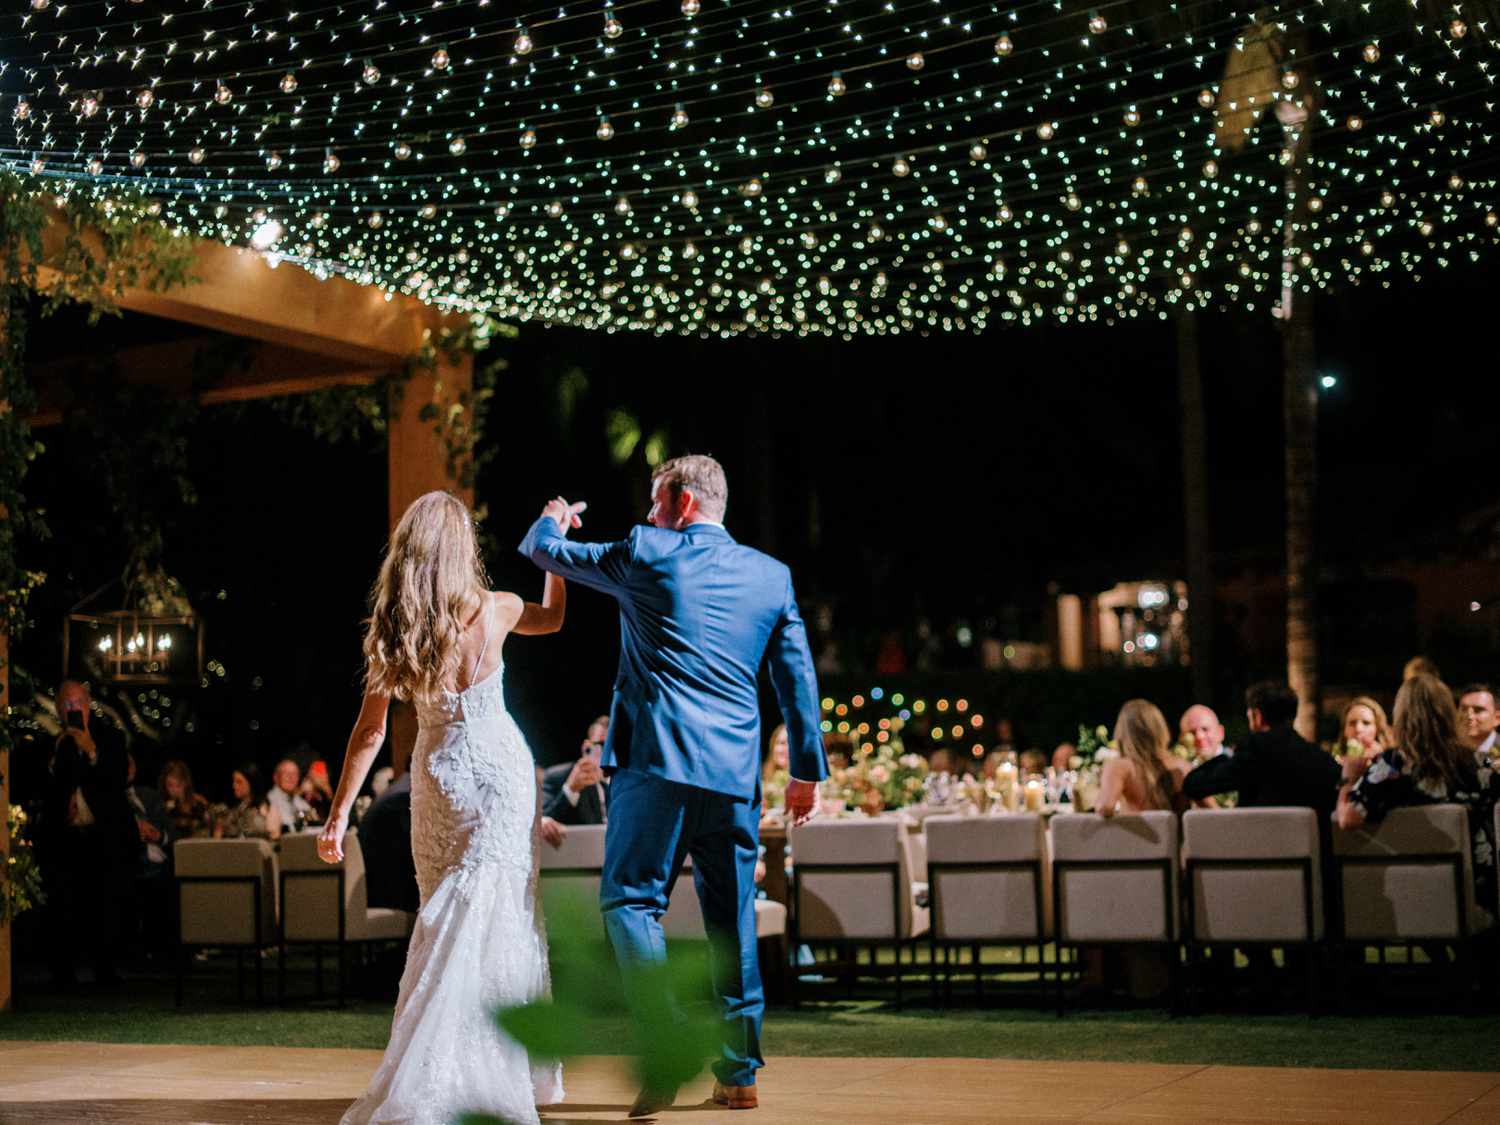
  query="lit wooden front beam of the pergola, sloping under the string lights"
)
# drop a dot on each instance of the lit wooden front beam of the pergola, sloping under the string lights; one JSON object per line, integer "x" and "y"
{"x": 245, "y": 293}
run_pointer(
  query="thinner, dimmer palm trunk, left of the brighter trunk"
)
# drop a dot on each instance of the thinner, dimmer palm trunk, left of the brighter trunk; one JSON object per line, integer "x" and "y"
{"x": 1196, "y": 506}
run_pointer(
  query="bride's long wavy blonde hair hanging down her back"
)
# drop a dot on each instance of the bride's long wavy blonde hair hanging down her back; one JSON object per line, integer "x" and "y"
{"x": 430, "y": 586}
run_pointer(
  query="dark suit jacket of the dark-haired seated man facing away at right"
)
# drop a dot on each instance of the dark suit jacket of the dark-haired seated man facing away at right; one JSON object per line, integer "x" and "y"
{"x": 1271, "y": 769}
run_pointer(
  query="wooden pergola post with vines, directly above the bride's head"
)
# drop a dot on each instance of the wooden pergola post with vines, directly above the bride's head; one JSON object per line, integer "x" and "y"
{"x": 418, "y": 457}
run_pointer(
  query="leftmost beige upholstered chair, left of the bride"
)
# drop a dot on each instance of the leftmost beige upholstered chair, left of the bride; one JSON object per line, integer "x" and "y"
{"x": 227, "y": 899}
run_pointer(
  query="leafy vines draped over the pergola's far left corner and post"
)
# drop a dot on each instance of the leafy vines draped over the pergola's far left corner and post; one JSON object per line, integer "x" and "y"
{"x": 61, "y": 251}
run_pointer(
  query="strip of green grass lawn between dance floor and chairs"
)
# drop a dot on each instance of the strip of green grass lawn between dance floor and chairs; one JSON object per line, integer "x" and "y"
{"x": 143, "y": 1012}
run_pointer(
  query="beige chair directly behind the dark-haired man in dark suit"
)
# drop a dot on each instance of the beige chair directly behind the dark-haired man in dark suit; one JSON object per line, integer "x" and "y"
{"x": 1253, "y": 878}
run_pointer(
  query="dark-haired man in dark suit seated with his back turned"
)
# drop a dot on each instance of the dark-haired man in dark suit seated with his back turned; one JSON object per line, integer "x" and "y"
{"x": 1276, "y": 766}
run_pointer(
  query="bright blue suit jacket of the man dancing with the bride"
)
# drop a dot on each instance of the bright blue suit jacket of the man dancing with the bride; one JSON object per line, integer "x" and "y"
{"x": 700, "y": 616}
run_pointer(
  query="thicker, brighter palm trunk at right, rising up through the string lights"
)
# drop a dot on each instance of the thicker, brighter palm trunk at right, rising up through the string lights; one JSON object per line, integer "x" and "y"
{"x": 1300, "y": 406}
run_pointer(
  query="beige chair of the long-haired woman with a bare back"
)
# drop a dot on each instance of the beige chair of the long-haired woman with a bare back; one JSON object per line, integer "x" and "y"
{"x": 1115, "y": 883}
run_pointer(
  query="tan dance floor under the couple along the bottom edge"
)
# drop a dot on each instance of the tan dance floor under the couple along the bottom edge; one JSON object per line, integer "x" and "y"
{"x": 95, "y": 1084}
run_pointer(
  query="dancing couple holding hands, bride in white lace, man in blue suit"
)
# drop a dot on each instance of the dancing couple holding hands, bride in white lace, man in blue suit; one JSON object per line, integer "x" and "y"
{"x": 700, "y": 616}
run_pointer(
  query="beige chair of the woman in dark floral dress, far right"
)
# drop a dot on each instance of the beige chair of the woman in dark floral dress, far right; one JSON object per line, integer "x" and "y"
{"x": 1409, "y": 880}
